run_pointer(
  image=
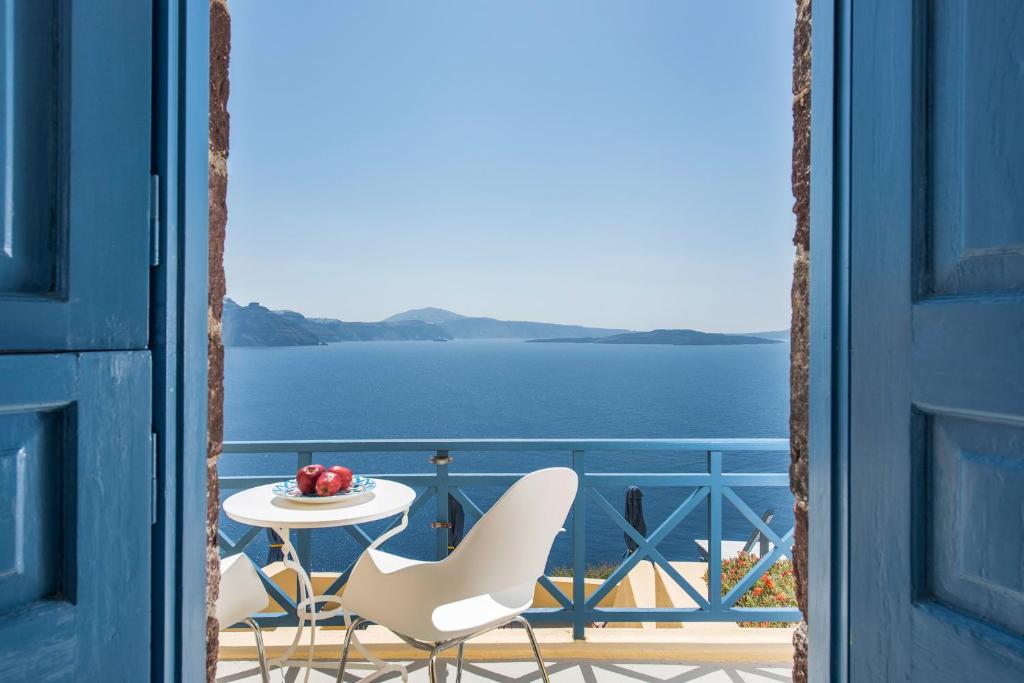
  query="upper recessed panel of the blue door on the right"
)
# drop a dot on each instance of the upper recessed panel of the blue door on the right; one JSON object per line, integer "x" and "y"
{"x": 974, "y": 143}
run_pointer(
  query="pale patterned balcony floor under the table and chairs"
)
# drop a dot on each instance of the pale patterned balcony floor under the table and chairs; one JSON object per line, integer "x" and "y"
{"x": 524, "y": 672}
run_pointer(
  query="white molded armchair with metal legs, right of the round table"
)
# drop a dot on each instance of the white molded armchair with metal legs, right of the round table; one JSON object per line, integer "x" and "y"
{"x": 488, "y": 582}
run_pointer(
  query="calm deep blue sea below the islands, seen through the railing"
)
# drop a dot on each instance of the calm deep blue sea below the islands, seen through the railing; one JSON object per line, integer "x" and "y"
{"x": 515, "y": 390}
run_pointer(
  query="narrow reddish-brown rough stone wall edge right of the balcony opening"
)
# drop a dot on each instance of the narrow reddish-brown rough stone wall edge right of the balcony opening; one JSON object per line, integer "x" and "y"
{"x": 800, "y": 337}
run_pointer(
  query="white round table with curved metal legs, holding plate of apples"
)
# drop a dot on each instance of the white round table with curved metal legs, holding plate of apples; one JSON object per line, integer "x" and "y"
{"x": 260, "y": 507}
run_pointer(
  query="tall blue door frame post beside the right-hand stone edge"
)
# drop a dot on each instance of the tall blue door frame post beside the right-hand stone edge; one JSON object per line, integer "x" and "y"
{"x": 829, "y": 371}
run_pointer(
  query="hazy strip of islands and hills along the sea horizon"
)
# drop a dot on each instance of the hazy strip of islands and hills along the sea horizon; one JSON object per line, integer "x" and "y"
{"x": 255, "y": 325}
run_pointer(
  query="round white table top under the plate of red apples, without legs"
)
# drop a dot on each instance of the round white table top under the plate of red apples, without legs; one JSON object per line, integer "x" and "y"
{"x": 260, "y": 507}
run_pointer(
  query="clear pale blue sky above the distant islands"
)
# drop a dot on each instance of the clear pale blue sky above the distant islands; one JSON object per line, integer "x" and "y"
{"x": 620, "y": 164}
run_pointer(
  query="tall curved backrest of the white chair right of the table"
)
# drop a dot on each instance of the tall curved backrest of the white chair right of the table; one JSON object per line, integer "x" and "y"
{"x": 508, "y": 548}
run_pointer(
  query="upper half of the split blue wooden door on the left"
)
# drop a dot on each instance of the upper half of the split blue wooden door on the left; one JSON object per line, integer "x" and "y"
{"x": 76, "y": 108}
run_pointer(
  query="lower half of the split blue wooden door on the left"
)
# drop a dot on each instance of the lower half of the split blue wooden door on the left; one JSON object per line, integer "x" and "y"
{"x": 75, "y": 482}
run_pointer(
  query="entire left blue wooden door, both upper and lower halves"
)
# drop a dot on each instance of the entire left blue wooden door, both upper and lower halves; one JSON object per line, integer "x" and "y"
{"x": 75, "y": 369}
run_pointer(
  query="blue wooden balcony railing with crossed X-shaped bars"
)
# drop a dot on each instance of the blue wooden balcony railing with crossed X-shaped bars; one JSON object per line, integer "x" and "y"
{"x": 714, "y": 485}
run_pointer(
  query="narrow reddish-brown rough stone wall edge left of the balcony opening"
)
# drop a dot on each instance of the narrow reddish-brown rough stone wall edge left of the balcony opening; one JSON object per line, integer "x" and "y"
{"x": 221, "y": 45}
